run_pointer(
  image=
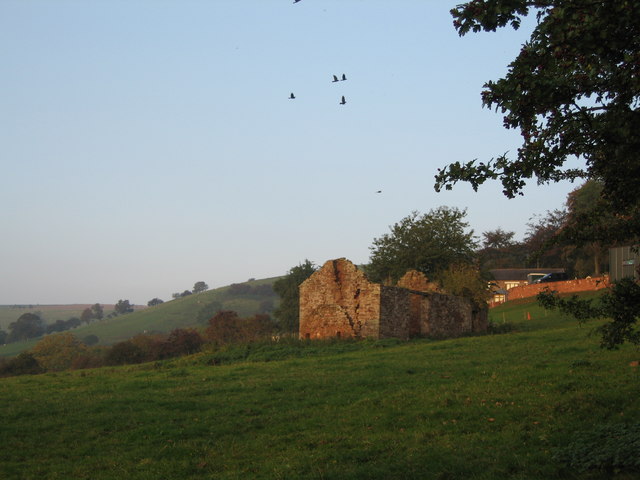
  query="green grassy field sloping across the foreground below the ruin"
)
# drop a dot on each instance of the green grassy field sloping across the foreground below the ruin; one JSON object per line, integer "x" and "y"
{"x": 475, "y": 408}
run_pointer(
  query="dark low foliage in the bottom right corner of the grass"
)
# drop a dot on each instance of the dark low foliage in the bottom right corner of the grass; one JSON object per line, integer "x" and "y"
{"x": 607, "y": 448}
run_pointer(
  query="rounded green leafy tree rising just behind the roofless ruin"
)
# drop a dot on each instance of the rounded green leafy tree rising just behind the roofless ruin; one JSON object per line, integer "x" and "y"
{"x": 428, "y": 243}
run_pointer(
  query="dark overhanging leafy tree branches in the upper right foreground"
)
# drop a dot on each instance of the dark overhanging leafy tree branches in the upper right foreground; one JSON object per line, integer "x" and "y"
{"x": 573, "y": 91}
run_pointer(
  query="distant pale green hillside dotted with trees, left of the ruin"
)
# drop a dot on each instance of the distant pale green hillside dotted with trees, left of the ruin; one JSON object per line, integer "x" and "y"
{"x": 178, "y": 313}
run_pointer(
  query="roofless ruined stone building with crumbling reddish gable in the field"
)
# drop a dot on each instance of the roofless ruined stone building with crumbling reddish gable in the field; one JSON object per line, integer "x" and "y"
{"x": 339, "y": 301}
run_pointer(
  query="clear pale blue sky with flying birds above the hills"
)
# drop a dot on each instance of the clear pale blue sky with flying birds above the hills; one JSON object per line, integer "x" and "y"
{"x": 146, "y": 145}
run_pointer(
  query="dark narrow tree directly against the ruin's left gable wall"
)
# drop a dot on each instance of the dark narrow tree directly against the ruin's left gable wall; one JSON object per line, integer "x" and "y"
{"x": 288, "y": 311}
